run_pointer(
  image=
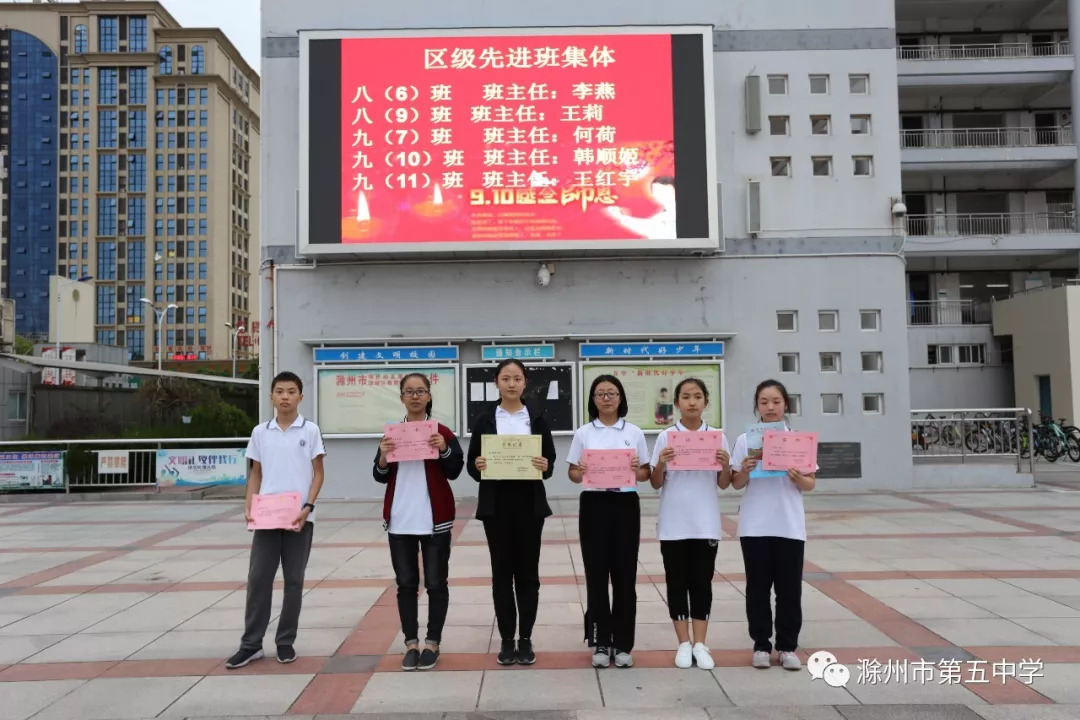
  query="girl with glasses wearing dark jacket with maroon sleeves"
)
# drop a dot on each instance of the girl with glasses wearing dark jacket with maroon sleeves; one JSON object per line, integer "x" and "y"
{"x": 418, "y": 512}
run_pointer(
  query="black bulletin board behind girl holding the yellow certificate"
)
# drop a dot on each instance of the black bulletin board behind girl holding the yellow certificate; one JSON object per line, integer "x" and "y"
{"x": 551, "y": 386}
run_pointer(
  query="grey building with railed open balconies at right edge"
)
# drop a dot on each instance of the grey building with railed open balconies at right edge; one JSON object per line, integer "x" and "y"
{"x": 989, "y": 167}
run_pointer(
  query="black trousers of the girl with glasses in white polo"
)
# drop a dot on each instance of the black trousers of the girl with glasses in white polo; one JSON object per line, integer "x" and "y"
{"x": 610, "y": 526}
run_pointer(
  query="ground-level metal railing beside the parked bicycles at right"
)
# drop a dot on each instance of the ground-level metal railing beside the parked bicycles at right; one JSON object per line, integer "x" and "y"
{"x": 966, "y": 433}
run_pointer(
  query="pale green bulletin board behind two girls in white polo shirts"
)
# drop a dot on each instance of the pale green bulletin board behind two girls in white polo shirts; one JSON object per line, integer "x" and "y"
{"x": 651, "y": 390}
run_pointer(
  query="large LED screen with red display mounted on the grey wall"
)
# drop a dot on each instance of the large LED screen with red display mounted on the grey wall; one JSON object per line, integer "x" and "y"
{"x": 508, "y": 140}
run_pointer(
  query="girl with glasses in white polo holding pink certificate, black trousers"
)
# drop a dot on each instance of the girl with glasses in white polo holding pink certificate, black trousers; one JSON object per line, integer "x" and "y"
{"x": 610, "y": 457}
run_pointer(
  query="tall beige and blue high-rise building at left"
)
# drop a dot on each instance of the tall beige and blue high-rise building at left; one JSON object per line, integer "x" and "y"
{"x": 131, "y": 152}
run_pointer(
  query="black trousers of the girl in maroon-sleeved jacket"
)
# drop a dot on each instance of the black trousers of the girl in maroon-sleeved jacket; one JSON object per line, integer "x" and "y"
{"x": 404, "y": 555}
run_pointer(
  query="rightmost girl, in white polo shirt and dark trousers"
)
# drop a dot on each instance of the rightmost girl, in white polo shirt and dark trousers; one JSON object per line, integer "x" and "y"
{"x": 773, "y": 534}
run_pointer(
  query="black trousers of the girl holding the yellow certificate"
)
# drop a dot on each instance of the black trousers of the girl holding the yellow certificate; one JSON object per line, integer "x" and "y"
{"x": 514, "y": 540}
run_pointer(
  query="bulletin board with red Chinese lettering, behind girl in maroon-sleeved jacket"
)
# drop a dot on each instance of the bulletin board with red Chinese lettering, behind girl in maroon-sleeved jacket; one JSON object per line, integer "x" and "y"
{"x": 359, "y": 401}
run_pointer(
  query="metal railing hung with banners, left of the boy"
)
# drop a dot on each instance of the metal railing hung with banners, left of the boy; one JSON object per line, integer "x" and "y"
{"x": 82, "y": 461}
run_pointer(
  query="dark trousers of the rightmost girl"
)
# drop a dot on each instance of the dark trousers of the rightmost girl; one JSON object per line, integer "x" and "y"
{"x": 774, "y": 563}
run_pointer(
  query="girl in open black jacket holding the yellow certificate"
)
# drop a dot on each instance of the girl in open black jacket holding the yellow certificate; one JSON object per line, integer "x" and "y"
{"x": 512, "y": 504}
